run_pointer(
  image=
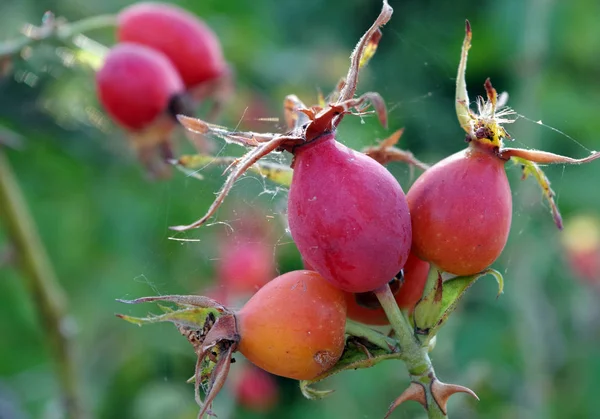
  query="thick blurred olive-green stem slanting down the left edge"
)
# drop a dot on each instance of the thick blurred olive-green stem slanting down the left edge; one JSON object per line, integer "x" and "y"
{"x": 46, "y": 292}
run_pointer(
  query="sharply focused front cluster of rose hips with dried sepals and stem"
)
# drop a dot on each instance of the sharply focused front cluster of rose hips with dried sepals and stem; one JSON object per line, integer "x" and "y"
{"x": 362, "y": 239}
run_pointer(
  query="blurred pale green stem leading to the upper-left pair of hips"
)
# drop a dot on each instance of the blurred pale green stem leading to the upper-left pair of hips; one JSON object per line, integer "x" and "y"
{"x": 61, "y": 31}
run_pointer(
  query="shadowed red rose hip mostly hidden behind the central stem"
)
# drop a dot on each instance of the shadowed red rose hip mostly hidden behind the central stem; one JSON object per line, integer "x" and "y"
{"x": 415, "y": 277}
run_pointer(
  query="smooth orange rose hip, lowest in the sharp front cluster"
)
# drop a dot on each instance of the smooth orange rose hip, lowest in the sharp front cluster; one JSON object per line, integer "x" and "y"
{"x": 294, "y": 326}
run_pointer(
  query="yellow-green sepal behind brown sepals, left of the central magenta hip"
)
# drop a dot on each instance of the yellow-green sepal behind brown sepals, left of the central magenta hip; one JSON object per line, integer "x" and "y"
{"x": 277, "y": 173}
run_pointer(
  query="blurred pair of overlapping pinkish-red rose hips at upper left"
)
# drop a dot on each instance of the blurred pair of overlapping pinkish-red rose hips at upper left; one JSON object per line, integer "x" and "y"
{"x": 165, "y": 61}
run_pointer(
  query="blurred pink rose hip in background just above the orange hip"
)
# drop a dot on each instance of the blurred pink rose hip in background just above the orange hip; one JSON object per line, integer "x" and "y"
{"x": 245, "y": 265}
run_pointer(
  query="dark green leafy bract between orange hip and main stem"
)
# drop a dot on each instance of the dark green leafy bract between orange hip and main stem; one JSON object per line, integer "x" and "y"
{"x": 357, "y": 354}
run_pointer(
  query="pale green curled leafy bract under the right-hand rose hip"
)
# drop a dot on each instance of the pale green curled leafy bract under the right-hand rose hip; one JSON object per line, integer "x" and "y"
{"x": 453, "y": 290}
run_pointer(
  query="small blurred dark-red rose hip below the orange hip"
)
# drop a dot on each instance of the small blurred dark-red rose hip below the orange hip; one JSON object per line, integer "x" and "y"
{"x": 256, "y": 389}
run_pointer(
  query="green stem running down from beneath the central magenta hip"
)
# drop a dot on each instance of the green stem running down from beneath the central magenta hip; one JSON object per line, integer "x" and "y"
{"x": 414, "y": 354}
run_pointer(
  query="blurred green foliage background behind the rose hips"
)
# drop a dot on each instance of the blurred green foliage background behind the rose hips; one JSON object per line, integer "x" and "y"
{"x": 533, "y": 353}
